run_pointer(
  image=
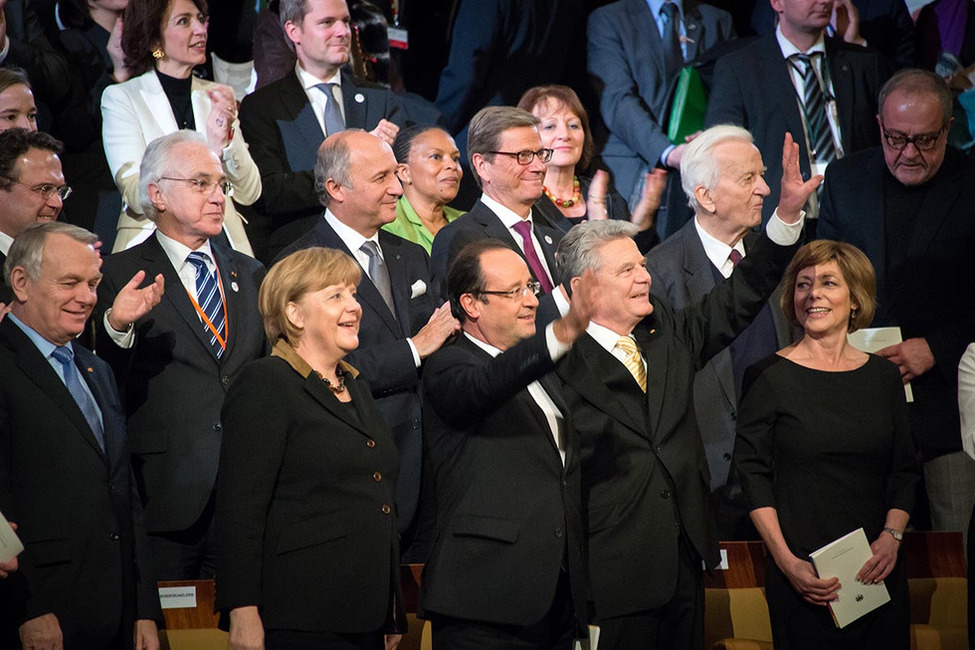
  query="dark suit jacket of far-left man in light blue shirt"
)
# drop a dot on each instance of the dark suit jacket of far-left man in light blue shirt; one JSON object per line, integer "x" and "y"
{"x": 79, "y": 516}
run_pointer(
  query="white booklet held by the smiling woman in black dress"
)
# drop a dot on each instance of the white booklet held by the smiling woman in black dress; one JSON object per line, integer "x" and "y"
{"x": 843, "y": 559}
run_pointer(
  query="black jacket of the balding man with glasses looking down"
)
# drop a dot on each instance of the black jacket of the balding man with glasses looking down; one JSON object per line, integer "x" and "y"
{"x": 921, "y": 287}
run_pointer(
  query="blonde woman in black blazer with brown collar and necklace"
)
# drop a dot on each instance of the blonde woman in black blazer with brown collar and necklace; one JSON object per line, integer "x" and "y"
{"x": 307, "y": 542}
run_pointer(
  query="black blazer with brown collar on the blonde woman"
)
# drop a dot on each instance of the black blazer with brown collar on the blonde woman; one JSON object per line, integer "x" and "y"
{"x": 305, "y": 517}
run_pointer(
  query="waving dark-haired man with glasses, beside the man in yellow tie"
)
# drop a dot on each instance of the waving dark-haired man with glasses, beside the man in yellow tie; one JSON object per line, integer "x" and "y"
{"x": 507, "y": 567}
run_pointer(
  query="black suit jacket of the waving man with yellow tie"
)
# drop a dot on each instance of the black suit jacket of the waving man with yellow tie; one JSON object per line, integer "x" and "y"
{"x": 645, "y": 475}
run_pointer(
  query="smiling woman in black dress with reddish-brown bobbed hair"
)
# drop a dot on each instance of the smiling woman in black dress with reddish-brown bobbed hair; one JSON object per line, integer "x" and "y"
{"x": 824, "y": 447}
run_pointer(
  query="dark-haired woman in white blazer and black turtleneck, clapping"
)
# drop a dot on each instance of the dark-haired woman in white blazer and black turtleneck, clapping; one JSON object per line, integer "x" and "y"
{"x": 163, "y": 41}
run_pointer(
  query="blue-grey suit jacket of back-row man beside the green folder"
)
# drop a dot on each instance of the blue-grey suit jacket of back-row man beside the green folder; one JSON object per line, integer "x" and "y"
{"x": 626, "y": 64}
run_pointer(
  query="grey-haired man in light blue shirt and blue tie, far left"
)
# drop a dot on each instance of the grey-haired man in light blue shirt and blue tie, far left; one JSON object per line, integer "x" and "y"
{"x": 84, "y": 579}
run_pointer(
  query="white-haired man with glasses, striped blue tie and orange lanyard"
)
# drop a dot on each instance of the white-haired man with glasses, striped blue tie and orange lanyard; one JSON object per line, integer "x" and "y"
{"x": 175, "y": 363}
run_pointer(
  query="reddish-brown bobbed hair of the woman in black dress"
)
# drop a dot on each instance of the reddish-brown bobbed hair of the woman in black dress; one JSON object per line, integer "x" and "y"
{"x": 856, "y": 269}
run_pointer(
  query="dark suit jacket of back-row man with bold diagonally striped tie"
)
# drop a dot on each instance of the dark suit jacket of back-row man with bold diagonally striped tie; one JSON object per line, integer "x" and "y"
{"x": 752, "y": 88}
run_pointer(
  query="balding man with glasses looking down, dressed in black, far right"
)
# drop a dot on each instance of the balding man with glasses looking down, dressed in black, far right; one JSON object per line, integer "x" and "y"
{"x": 908, "y": 206}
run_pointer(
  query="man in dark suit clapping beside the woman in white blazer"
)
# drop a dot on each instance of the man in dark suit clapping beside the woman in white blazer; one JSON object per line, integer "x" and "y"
{"x": 286, "y": 121}
